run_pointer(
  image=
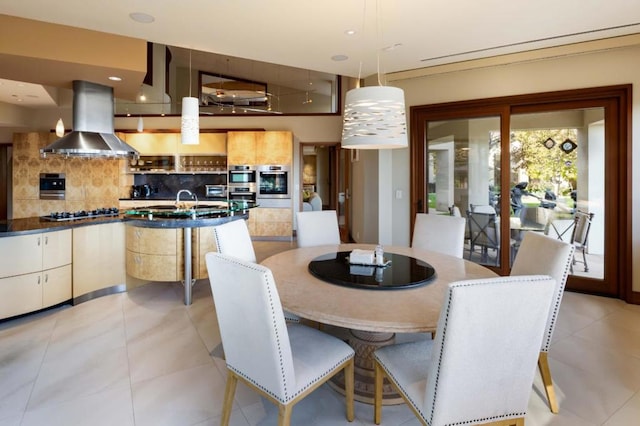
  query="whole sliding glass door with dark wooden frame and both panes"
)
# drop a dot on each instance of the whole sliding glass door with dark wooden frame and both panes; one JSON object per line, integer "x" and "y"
{"x": 554, "y": 163}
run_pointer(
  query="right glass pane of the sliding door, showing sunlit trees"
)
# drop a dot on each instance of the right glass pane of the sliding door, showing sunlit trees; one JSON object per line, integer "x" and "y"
{"x": 557, "y": 181}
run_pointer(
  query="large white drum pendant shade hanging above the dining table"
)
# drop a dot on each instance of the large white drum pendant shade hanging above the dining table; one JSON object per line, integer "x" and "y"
{"x": 374, "y": 118}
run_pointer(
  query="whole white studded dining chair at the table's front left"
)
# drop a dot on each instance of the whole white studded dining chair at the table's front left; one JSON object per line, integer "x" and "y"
{"x": 284, "y": 363}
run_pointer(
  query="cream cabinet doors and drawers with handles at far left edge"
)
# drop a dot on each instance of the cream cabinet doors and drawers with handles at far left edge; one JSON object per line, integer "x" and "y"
{"x": 35, "y": 272}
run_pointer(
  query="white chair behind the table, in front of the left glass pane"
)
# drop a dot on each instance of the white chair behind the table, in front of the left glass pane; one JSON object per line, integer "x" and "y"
{"x": 441, "y": 233}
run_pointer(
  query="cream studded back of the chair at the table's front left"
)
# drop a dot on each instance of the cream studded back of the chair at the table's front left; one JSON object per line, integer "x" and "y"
{"x": 252, "y": 325}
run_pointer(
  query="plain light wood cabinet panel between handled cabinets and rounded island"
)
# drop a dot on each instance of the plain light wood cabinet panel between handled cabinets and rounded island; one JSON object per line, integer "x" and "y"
{"x": 98, "y": 257}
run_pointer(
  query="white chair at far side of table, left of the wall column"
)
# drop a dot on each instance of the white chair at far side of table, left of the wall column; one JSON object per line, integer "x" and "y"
{"x": 317, "y": 228}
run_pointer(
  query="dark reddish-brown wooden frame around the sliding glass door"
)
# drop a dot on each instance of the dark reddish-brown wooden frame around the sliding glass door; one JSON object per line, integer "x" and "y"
{"x": 617, "y": 103}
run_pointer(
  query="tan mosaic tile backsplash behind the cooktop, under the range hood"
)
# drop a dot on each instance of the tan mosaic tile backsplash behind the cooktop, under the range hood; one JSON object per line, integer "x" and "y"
{"x": 91, "y": 183}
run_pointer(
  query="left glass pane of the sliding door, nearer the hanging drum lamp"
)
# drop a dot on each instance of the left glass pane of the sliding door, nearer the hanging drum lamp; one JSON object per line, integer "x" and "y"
{"x": 463, "y": 173}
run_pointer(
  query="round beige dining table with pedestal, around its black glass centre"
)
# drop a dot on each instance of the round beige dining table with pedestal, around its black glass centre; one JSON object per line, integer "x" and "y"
{"x": 372, "y": 317}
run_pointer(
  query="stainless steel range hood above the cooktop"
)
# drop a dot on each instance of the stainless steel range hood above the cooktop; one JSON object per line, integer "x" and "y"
{"x": 92, "y": 134}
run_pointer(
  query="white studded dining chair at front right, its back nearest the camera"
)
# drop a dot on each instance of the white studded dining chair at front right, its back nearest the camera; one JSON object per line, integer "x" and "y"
{"x": 480, "y": 367}
